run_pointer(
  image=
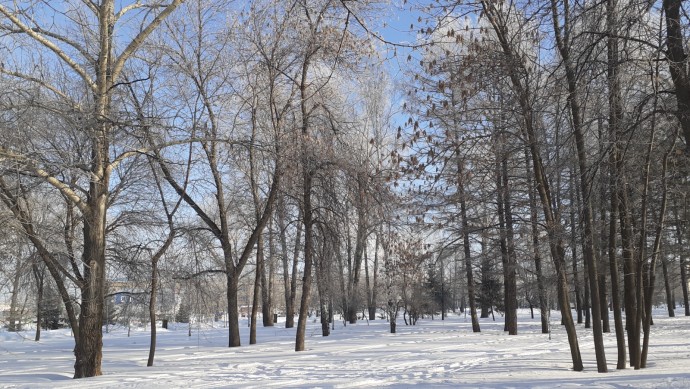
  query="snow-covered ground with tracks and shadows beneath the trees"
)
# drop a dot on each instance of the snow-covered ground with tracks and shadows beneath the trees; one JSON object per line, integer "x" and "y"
{"x": 434, "y": 353}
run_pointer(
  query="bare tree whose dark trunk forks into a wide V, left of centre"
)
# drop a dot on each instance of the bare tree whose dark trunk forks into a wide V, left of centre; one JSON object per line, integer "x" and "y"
{"x": 200, "y": 66}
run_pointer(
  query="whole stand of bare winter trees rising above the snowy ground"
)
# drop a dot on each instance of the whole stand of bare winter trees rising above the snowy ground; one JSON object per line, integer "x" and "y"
{"x": 184, "y": 146}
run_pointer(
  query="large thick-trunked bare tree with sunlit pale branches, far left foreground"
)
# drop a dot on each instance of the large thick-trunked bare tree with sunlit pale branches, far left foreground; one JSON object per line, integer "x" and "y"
{"x": 100, "y": 78}
